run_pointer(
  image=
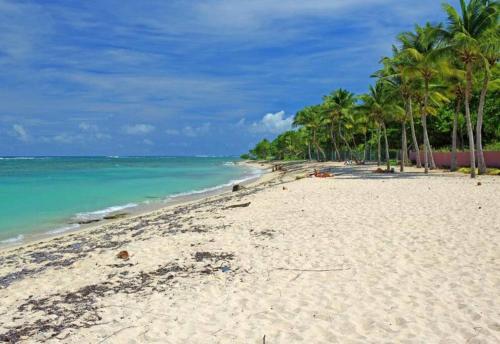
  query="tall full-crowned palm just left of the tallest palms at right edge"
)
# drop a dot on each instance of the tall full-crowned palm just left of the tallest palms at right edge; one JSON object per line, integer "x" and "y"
{"x": 423, "y": 52}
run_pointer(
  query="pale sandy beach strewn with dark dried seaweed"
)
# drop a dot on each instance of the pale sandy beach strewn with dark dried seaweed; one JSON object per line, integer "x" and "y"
{"x": 356, "y": 258}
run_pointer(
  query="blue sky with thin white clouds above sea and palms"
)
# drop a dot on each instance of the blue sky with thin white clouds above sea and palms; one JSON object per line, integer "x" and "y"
{"x": 179, "y": 77}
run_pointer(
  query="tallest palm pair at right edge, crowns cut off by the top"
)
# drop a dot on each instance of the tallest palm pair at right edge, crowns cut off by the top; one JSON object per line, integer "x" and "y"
{"x": 470, "y": 34}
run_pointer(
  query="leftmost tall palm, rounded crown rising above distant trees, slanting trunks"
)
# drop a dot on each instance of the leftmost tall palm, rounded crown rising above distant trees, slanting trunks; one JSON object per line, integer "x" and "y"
{"x": 338, "y": 106}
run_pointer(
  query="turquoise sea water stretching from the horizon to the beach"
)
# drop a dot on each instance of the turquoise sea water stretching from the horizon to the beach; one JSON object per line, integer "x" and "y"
{"x": 50, "y": 194}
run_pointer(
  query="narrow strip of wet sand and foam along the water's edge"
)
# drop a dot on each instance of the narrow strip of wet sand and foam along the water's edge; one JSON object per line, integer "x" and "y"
{"x": 139, "y": 209}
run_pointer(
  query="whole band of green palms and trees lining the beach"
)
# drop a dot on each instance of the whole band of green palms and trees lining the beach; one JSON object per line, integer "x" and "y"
{"x": 440, "y": 90}
